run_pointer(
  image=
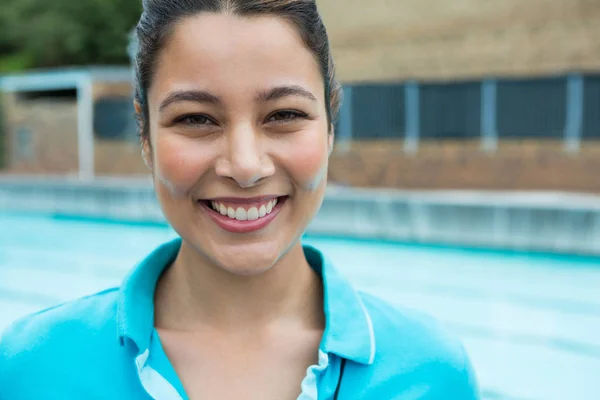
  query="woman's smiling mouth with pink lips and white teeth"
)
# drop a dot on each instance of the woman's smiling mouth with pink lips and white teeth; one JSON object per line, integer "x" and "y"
{"x": 243, "y": 215}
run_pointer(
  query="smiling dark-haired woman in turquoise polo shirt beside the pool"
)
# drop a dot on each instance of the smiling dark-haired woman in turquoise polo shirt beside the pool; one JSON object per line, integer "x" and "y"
{"x": 235, "y": 100}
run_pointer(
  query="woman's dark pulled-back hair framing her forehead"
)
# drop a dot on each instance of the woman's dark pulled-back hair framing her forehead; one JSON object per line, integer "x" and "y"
{"x": 159, "y": 18}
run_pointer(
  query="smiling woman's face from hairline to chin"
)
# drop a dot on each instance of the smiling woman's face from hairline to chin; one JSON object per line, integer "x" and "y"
{"x": 239, "y": 140}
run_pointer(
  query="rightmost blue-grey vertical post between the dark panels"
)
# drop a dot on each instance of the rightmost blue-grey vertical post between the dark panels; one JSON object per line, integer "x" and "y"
{"x": 574, "y": 112}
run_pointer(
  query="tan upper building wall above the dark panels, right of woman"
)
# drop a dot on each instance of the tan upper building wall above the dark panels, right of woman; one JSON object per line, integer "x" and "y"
{"x": 434, "y": 39}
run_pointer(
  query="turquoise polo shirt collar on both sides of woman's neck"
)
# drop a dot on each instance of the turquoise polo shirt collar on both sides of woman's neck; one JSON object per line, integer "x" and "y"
{"x": 348, "y": 327}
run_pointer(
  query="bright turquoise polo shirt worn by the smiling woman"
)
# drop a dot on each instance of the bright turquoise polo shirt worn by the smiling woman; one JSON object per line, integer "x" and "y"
{"x": 104, "y": 346}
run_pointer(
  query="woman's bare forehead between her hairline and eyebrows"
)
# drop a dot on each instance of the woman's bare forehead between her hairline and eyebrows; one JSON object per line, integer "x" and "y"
{"x": 222, "y": 53}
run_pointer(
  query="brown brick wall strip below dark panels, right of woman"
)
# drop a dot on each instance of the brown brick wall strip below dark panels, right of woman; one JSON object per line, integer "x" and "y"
{"x": 517, "y": 165}
